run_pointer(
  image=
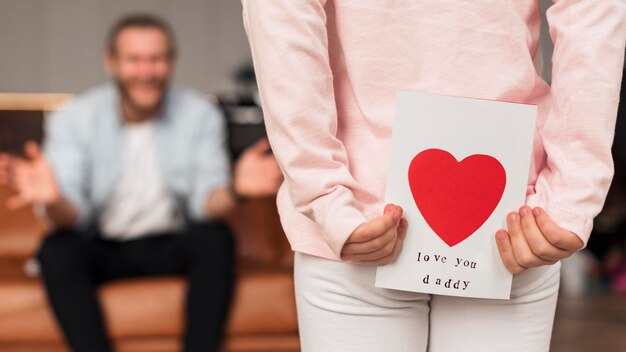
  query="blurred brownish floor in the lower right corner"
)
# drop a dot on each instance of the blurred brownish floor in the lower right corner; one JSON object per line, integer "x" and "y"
{"x": 595, "y": 323}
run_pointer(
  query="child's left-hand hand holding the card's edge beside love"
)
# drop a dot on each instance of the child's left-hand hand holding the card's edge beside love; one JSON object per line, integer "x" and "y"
{"x": 378, "y": 241}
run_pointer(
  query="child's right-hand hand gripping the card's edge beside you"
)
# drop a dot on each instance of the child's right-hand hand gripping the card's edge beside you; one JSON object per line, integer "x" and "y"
{"x": 534, "y": 239}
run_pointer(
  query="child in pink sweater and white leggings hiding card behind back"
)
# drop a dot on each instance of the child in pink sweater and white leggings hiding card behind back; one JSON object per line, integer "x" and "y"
{"x": 328, "y": 72}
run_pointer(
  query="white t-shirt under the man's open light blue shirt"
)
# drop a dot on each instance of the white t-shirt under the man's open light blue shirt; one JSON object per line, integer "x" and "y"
{"x": 141, "y": 204}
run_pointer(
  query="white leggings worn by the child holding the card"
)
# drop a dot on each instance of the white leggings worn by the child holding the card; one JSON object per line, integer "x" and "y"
{"x": 339, "y": 309}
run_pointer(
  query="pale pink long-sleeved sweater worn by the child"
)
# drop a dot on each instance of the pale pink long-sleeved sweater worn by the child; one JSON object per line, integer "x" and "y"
{"x": 328, "y": 72}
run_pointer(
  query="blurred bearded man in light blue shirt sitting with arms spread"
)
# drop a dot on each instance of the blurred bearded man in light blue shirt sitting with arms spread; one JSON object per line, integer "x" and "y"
{"x": 136, "y": 178}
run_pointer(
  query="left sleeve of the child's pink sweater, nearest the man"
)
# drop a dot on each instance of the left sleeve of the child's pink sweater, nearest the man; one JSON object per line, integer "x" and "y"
{"x": 289, "y": 47}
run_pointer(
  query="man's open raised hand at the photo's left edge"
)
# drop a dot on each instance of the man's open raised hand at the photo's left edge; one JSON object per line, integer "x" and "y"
{"x": 32, "y": 178}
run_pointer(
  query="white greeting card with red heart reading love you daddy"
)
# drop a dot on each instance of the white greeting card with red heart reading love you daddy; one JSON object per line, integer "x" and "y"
{"x": 457, "y": 167}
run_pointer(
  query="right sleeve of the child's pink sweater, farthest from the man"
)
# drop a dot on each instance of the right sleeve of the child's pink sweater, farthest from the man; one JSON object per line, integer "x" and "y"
{"x": 588, "y": 59}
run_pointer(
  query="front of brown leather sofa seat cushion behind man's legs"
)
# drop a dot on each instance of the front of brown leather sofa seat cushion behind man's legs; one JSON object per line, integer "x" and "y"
{"x": 264, "y": 303}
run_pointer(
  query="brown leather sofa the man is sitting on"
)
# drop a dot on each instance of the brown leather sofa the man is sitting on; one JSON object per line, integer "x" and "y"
{"x": 147, "y": 314}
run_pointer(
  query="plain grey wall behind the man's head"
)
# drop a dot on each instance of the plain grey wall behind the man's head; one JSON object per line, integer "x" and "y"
{"x": 57, "y": 46}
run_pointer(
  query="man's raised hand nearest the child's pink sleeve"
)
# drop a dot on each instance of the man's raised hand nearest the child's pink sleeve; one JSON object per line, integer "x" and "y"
{"x": 257, "y": 173}
